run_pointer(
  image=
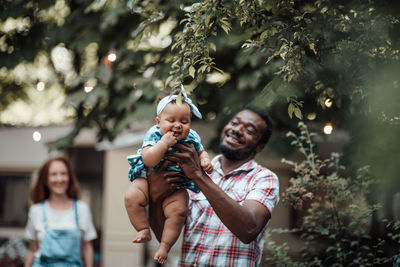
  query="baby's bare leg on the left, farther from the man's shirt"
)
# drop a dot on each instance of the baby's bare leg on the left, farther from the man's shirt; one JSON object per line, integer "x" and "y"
{"x": 136, "y": 200}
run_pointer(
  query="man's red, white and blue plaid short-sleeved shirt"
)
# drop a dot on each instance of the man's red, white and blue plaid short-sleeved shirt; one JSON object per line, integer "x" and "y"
{"x": 207, "y": 241}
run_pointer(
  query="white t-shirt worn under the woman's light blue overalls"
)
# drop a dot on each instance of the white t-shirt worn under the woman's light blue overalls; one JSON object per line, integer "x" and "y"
{"x": 59, "y": 219}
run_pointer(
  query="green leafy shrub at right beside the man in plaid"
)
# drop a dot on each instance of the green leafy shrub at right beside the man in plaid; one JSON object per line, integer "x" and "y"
{"x": 336, "y": 224}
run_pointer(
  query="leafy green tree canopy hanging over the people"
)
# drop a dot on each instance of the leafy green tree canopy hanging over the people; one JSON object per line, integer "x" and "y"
{"x": 286, "y": 56}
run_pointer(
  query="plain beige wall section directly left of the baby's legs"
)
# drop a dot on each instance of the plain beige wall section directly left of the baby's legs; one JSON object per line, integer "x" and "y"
{"x": 117, "y": 248}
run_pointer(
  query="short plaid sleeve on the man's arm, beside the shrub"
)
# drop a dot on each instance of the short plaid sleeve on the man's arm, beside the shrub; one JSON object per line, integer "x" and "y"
{"x": 265, "y": 189}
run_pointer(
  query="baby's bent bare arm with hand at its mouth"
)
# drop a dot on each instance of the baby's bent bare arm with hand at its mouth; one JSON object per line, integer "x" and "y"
{"x": 152, "y": 155}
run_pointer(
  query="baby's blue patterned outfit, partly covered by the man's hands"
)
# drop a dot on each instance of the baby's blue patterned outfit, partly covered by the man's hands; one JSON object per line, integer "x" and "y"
{"x": 138, "y": 169}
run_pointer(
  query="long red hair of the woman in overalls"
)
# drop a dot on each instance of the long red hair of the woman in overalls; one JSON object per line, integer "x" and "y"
{"x": 40, "y": 190}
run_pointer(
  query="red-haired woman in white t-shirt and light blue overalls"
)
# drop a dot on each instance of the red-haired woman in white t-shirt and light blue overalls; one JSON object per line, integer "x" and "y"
{"x": 60, "y": 227}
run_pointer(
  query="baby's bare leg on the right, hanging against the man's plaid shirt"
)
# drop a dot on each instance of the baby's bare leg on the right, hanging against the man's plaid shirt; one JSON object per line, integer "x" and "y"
{"x": 175, "y": 211}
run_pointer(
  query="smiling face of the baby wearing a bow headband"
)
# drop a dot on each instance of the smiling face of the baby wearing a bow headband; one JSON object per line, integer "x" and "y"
{"x": 175, "y": 118}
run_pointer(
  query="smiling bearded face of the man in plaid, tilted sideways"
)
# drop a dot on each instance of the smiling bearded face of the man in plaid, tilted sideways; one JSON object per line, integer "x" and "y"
{"x": 241, "y": 136}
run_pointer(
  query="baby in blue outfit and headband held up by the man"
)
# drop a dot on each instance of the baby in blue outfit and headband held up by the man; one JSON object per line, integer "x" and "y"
{"x": 173, "y": 125}
